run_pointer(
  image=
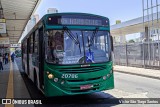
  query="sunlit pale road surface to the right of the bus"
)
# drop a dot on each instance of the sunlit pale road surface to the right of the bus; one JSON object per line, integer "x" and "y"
{"x": 142, "y": 86}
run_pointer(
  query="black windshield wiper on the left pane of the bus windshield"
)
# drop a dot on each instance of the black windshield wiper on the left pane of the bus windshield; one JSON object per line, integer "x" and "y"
{"x": 71, "y": 35}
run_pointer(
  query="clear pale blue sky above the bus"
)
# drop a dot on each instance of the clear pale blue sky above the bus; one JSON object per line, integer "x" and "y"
{"x": 113, "y": 9}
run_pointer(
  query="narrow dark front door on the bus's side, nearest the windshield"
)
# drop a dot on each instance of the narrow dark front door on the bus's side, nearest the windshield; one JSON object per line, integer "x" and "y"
{"x": 41, "y": 58}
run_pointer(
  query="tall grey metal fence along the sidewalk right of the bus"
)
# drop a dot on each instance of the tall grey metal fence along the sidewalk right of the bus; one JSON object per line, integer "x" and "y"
{"x": 145, "y": 55}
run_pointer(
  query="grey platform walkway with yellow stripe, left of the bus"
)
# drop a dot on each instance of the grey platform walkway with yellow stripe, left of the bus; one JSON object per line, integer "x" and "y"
{"x": 11, "y": 82}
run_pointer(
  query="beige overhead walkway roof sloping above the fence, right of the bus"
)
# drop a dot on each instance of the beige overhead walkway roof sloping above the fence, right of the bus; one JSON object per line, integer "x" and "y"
{"x": 134, "y": 26}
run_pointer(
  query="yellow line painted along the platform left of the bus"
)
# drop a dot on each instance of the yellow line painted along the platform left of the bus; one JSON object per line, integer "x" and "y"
{"x": 10, "y": 93}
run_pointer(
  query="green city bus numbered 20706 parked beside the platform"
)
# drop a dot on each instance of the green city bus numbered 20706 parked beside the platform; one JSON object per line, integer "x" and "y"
{"x": 69, "y": 54}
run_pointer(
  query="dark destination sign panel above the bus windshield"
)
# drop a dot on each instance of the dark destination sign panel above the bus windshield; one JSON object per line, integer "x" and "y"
{"x": 77, "y": 20}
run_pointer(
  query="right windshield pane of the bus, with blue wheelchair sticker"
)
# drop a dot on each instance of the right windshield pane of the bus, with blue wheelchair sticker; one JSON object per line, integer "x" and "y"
{"x": 96, "y": 46}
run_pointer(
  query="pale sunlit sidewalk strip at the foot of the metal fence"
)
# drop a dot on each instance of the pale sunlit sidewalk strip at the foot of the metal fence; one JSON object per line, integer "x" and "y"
{"x": 138, "y": 71}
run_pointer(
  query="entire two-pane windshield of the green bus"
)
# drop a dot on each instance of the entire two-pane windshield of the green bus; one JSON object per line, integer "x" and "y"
{"x": 77, "y": 46}
